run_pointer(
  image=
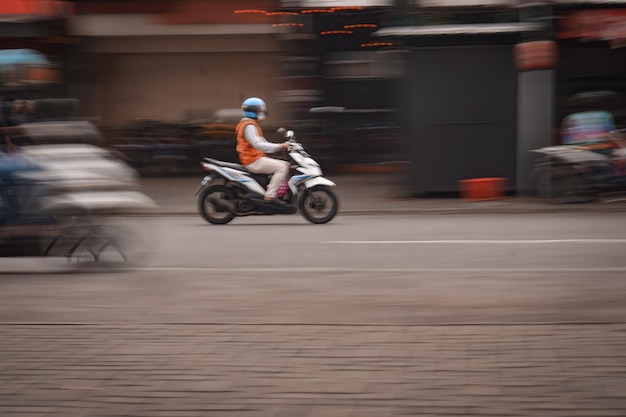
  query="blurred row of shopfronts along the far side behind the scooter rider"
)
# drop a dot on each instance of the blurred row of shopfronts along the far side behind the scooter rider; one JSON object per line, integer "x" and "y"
{"x": 439, "y": 90}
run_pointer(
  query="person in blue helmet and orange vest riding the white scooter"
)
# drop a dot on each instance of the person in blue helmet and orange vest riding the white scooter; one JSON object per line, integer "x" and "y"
{"x": 252, "y": 146}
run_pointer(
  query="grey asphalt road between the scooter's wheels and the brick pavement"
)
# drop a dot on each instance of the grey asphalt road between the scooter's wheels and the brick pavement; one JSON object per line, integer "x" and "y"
{"x": 361, "y": 269}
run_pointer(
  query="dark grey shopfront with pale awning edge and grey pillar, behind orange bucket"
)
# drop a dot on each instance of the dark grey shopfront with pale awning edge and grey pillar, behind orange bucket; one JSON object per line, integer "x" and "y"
{"x": 475, "y": 99}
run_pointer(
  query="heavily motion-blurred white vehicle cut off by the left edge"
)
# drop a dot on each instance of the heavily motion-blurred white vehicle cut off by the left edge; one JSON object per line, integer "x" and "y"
{"x": 69, "y": 200}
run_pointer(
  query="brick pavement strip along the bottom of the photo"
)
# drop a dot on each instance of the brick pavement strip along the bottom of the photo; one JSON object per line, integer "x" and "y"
{"x": 152, "y": 370}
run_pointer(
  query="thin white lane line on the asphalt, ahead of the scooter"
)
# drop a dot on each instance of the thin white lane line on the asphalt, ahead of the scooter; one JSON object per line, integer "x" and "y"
{"x": 474, "y": 241}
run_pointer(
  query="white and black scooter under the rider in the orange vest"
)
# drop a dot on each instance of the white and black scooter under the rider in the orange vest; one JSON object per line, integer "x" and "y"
{"x": 230, "y": 190}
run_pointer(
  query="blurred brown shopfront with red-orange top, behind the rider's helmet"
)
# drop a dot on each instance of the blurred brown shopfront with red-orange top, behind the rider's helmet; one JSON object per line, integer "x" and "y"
{"x": 164, "y": 61}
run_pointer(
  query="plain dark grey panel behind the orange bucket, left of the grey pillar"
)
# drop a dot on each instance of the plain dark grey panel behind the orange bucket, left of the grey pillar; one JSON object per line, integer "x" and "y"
{"x": 460, "y": 112}
